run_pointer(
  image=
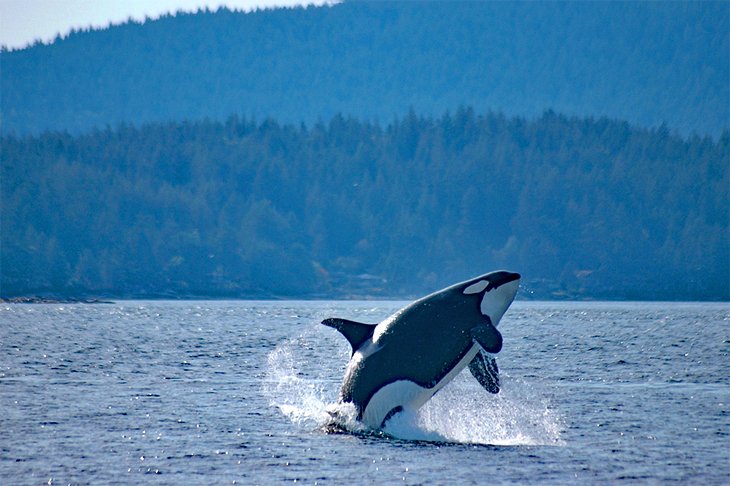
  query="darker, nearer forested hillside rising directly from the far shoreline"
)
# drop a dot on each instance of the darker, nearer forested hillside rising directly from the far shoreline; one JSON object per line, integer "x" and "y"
{"x": 582, "y": 207}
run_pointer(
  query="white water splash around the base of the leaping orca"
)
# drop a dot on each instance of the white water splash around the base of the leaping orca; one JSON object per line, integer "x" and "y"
{"x": 460, "y": 413}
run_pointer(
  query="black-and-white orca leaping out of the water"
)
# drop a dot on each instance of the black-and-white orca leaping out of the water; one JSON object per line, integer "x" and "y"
{"x": 400, "y": 363}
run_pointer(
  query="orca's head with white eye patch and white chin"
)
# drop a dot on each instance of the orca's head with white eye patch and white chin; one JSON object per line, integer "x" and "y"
{"x": 496, "y": 290}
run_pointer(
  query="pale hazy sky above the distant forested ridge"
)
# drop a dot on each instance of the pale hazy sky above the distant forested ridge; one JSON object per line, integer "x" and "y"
{"x": 24, "y": 21}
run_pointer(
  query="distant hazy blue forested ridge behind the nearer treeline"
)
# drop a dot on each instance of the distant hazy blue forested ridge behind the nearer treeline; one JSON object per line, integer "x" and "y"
{"x": 644, "y": 62}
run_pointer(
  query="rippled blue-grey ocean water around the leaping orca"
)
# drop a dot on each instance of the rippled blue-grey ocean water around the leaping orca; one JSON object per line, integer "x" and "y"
{"x": 237, "y": 392}
